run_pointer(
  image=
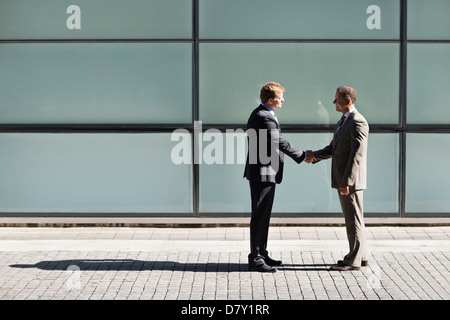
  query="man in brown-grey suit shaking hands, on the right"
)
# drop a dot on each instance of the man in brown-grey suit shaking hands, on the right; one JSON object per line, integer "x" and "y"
{"x": 348, "y": 151}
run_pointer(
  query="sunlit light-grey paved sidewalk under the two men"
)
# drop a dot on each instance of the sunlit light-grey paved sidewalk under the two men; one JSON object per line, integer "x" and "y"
{"x": 97, "y": 263}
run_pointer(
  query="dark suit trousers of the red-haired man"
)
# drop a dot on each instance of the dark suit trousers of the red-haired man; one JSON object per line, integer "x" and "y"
{"x": 262, "y": 194}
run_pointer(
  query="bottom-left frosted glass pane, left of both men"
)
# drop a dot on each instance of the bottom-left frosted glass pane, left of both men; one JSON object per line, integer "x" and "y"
{"x": 92, "y": 173}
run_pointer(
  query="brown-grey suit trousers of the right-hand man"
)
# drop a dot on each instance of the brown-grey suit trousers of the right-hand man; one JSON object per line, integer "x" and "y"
{"x": 352, "y": 207}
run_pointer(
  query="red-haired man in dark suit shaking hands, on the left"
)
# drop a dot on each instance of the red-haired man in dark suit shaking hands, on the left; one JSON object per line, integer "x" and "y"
{"x": 264, "y": 169}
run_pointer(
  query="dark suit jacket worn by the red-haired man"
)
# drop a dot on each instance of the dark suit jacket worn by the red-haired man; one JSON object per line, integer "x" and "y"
{"x": 266, "y": 148}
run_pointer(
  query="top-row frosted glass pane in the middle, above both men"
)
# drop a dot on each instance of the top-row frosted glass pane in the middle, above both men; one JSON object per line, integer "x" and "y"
{"x": 306, "y": 19}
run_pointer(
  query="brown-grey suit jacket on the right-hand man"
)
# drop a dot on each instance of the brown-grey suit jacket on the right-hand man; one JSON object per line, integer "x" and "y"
{"x": 348, "y": 151}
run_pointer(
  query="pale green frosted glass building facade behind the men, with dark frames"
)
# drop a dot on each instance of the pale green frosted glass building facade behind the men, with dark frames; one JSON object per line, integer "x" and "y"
{"x": 137, "y": 108}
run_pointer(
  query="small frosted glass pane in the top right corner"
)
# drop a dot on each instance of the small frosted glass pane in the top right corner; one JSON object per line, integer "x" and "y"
{"x": 428, "y": 20}
